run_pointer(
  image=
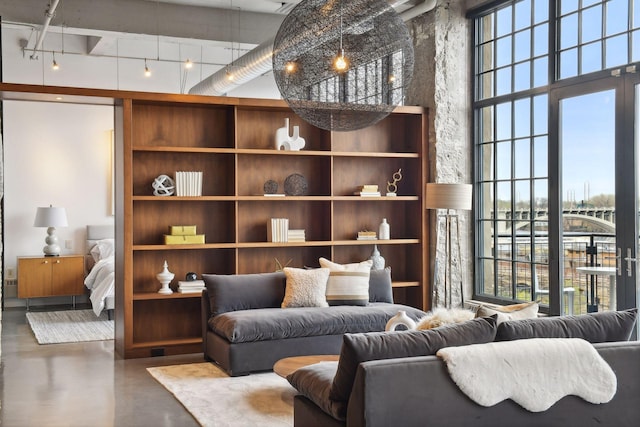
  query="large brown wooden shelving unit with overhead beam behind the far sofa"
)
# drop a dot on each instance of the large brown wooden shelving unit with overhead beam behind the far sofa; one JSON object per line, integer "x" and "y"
{"x": 232, "y": 141}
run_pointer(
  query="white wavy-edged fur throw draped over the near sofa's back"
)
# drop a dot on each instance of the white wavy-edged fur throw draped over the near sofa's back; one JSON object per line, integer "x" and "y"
{"x": 534, "y": 373}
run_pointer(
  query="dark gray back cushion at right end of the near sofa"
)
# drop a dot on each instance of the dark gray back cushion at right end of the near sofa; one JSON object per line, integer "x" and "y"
{"x": 605, "y": 326}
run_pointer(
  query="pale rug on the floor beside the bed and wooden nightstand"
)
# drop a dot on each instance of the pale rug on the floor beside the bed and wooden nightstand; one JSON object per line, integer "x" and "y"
{"x": 54, "y": 327}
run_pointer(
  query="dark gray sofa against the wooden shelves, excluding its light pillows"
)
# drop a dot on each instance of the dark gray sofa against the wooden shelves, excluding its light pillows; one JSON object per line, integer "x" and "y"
{"x": 245, "y": 329}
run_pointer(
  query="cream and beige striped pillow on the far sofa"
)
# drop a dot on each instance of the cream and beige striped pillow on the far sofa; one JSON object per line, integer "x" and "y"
{"x": 348, "y": 283}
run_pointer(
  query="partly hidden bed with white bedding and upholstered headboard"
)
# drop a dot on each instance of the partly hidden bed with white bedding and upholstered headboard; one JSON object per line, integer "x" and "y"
{"x": 100, "y": 267}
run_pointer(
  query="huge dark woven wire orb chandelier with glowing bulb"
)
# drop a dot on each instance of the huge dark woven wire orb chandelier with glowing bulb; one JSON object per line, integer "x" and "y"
{"x": 343, "y": 65}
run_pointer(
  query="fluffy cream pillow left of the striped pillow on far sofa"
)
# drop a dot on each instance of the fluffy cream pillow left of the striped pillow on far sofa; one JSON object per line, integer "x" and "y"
{"x": 305, "y": 288}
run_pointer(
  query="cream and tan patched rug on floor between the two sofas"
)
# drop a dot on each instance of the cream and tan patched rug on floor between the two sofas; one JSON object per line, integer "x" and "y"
{"x": 217, "y": 400}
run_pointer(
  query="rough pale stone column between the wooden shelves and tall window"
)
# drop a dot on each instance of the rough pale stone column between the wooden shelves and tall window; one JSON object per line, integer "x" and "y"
{"x": 441, "y": 83}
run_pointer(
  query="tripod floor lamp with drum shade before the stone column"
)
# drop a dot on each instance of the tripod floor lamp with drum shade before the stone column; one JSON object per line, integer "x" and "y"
{"x": 450, "y": 197}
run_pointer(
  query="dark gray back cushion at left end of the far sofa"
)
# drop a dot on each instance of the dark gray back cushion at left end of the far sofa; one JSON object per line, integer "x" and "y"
{"x": 244, "y": 291}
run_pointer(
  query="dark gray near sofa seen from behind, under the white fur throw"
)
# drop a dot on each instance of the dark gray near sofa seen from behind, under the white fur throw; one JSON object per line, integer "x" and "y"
{"x": 390, "y": 379}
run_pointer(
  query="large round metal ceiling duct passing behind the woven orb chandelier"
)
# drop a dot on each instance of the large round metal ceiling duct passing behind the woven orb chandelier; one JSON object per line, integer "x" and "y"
{"x": 259, "y": 60}
